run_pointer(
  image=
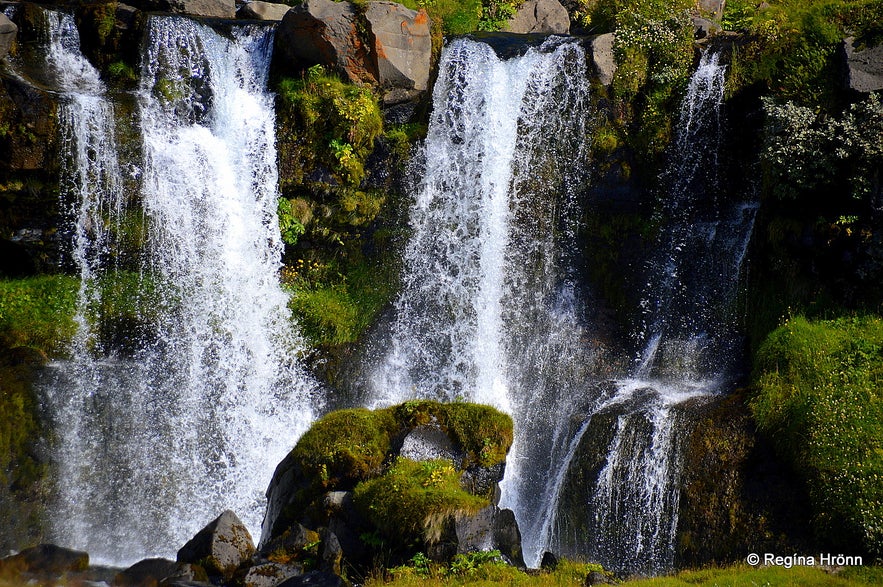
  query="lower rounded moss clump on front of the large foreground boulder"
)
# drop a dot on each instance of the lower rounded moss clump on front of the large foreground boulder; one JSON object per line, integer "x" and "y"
{"x": 412, "y": 501}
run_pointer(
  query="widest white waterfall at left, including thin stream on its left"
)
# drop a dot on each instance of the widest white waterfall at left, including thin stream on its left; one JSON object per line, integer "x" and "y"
{"x": 155, "y": 443}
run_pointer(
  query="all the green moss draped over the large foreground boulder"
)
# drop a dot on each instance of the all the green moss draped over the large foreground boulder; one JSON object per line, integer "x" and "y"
{"x": 407, "y": 502}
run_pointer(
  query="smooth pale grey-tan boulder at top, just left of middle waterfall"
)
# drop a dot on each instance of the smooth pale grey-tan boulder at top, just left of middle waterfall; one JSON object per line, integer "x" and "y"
{"x": 401, "y": 43}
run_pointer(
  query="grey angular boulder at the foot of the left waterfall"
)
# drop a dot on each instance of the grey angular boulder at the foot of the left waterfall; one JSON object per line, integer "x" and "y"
{"x": 221, "y": 547}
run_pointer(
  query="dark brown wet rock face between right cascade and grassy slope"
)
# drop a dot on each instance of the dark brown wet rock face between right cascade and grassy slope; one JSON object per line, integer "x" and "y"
{"x": 736, "y": 495}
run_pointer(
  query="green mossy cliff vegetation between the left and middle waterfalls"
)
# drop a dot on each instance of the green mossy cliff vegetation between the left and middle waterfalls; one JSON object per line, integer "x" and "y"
{"x": 327, "y": 215}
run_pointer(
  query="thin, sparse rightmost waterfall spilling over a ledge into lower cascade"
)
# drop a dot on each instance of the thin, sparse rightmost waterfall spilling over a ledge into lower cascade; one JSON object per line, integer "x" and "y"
{"x": 689, "y": 343}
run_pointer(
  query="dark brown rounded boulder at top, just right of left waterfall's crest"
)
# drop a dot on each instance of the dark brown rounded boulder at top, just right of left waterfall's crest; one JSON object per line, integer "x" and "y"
{"x": 324, "y": 32}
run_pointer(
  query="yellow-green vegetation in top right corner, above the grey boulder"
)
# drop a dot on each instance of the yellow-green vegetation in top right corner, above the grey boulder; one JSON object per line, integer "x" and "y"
{"x": 791, "y": 45}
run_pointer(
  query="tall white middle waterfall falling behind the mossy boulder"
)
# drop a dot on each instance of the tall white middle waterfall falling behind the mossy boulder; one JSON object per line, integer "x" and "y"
{"x": 489, "y": 309}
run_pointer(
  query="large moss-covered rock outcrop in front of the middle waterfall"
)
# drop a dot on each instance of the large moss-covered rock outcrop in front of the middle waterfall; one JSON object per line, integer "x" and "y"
{"x": 402, "y": 477}
